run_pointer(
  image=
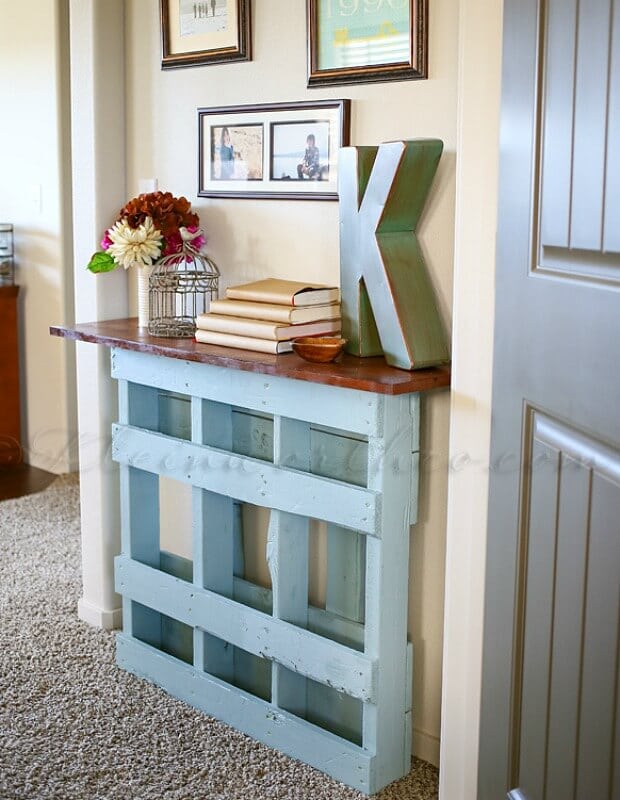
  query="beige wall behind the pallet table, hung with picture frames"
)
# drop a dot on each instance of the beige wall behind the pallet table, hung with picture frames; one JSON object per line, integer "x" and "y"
{"x": 251, "y": 239}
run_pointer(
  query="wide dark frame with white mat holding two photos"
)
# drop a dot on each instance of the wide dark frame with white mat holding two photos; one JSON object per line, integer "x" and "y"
{"x": 278, "y": 150}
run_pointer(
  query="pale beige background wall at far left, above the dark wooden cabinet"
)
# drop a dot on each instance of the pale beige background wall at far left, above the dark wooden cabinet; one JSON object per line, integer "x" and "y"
{"x": 34, "y": 192}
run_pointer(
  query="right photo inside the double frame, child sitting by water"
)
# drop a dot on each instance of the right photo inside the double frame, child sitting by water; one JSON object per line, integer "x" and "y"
{"x": 300, "y": 151}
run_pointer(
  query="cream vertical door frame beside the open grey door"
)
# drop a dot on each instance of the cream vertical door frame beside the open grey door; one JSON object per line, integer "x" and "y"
{"x": 479, "y": 90}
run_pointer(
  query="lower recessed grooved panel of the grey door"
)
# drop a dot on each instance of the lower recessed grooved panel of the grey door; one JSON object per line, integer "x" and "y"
{"x": 566, "y": 612}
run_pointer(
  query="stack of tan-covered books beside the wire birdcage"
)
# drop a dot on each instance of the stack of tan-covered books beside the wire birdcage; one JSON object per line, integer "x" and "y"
{"x": 267, "y": 315}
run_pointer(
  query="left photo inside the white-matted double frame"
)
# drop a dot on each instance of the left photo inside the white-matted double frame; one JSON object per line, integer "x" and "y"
{"x": 237, "y": 153}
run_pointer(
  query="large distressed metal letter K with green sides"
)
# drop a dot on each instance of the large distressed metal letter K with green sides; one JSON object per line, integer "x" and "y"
{"x": 388, "y": 302}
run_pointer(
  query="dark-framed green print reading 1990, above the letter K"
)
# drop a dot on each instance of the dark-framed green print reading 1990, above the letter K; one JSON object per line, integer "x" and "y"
{"x": 366, "y": 41}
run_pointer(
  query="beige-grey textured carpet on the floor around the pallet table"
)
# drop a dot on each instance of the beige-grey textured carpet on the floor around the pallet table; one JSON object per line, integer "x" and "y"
{"x": 74, "y": 727}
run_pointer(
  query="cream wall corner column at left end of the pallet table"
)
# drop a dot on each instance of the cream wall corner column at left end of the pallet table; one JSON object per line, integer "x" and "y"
{"x": 97, "y": 47}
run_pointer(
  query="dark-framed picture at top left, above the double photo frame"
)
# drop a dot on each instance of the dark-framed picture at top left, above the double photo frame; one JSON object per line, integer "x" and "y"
{"x": 206, "y": 32}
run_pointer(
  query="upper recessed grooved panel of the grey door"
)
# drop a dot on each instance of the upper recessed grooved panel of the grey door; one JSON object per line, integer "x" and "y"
{"x": 577, "y": 173}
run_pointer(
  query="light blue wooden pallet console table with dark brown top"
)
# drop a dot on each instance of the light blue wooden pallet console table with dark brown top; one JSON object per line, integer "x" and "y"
{"x": 336, "y": 443}
